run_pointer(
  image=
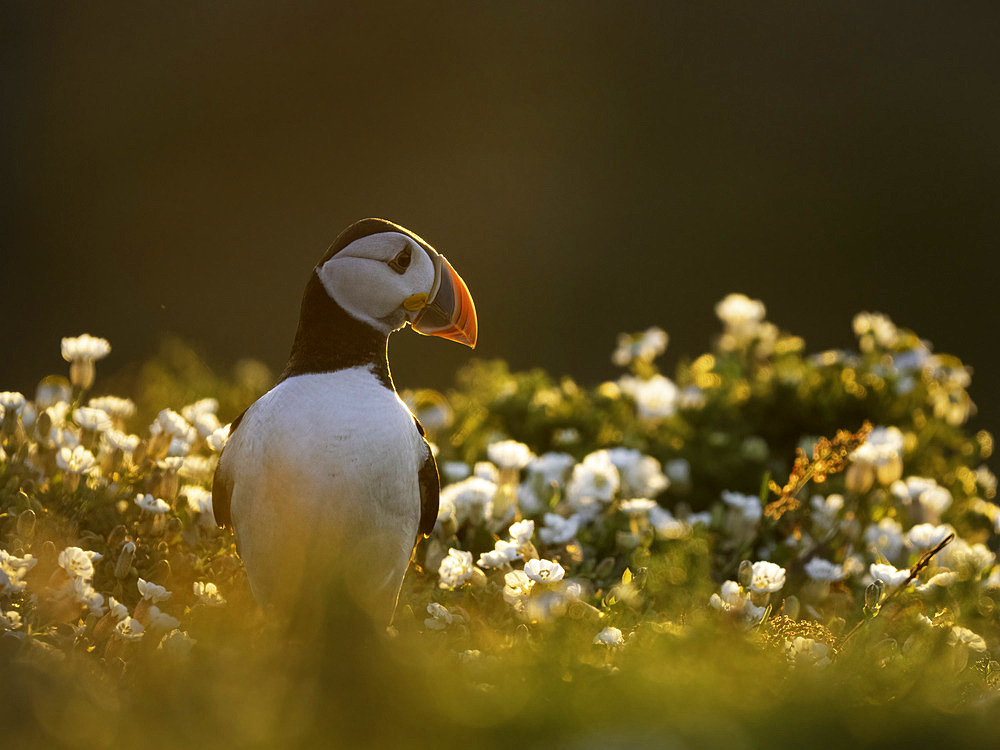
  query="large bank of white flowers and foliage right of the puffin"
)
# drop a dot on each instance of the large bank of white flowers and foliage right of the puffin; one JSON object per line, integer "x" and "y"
{"x": 895, "y": 511}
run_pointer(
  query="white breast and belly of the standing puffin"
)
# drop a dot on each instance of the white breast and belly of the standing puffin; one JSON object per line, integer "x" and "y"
{"x": 324, "y": 470}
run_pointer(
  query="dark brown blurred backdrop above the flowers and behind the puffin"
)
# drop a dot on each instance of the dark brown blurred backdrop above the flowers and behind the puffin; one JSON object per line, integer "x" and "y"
{"x": 587, "y": 167}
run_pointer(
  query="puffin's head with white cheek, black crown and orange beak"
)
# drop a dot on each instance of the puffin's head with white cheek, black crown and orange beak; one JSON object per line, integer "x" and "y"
{"x": 388, "y": 277}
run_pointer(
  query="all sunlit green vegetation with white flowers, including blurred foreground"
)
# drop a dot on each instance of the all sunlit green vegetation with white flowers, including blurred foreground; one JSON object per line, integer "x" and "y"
{"x": 772, "y": 546}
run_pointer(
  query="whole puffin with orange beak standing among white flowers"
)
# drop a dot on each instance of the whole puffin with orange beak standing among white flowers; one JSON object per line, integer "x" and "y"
{"x": 327, "y": 480}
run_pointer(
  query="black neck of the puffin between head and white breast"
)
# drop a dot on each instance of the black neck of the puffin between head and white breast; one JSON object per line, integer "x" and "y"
{"x": 329, "y": 339}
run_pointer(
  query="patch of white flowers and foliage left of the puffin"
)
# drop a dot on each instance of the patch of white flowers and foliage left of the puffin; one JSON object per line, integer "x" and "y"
{"x": 103, "y": 519}
